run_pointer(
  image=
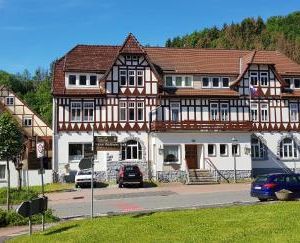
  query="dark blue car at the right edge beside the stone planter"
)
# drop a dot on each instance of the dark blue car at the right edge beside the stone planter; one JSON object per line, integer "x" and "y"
{"x": 265, "y": 186}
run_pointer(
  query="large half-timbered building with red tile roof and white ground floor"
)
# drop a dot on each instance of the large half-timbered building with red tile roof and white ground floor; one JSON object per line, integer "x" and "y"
{"x": 177, "y": 111}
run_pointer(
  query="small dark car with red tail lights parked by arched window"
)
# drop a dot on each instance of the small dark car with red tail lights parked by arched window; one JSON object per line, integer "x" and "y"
{"x": 129, "y": 175}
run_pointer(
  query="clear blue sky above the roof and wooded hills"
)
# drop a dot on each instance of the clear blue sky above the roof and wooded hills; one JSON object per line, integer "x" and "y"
{"x": 35, "y": 32}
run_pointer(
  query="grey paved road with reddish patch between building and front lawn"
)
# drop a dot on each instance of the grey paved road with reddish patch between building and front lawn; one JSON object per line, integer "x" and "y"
{"x": 117, "y": 201}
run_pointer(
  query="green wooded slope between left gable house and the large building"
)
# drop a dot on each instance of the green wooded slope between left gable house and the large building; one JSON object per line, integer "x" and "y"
{"x": 35, "y": 90}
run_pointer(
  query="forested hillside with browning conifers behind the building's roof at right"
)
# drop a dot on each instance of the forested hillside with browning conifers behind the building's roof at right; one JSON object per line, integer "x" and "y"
{"x": 276, "y": 33}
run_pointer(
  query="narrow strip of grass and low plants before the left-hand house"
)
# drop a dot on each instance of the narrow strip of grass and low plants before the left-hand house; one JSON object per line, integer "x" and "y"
{"x": 25, "y": 194}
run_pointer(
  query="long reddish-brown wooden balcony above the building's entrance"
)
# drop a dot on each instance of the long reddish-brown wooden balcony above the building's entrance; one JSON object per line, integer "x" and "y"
{"x": 161, "y": 126}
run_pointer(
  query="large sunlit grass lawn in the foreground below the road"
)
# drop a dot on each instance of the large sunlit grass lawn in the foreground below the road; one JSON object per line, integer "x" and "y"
{"x": 279, "y": 222}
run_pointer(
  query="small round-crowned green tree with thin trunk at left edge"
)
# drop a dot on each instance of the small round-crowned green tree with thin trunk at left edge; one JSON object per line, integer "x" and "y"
{"x": 11, "y": 144}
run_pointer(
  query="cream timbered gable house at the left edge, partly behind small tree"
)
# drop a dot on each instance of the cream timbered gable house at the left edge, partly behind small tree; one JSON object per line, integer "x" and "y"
{"x": 32, "y": 127}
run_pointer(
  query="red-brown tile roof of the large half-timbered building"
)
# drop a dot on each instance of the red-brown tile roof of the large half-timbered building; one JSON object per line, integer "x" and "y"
{"x": 98, "y": 58}
